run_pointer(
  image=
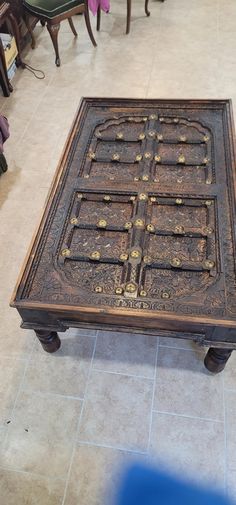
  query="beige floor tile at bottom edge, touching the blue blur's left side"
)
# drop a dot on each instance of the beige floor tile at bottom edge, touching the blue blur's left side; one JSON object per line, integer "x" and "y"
{"x": 95, "y": 474}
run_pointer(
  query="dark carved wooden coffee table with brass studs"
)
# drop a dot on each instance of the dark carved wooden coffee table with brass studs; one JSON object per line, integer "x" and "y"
{"x": 138, "y": 230}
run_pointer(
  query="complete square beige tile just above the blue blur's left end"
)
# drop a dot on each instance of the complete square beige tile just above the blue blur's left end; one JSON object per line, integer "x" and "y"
{"x": 117, "y": 411}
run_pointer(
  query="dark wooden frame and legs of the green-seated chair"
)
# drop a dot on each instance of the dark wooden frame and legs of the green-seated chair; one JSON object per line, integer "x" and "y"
{"x": 53, "y": 25}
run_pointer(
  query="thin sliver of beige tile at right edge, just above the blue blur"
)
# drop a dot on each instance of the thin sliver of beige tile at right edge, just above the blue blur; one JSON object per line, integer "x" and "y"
{"x": 230, "y": 406}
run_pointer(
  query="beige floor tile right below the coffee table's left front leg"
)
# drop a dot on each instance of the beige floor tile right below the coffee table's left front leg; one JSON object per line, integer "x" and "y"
{"x": 64, "y": 372}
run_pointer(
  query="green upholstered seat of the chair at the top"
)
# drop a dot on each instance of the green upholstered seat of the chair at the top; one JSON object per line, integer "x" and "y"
{"x": 51, "y": 8}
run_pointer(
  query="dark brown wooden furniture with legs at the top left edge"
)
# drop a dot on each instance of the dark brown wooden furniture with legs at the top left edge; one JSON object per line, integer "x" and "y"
{"x": 7, "y": 17}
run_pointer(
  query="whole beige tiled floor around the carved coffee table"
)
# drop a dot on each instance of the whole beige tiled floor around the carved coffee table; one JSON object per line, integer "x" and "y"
{"x": 69, "y": 419}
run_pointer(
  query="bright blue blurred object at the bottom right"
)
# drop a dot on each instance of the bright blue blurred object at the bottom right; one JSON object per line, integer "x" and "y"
{"x": 142, "y": 485}
